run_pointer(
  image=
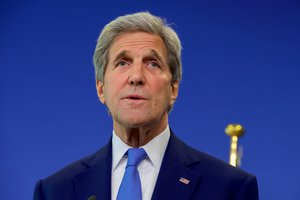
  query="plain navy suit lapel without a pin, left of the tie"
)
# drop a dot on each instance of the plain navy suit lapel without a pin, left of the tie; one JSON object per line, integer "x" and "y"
{"x": 96, "y": 179}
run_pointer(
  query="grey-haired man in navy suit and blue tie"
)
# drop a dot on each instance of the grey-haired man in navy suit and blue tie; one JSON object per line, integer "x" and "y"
{"x": 138, "y": 69}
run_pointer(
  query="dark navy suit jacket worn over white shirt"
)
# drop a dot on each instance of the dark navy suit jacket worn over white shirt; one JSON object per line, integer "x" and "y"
{"x": 209, "y": 178}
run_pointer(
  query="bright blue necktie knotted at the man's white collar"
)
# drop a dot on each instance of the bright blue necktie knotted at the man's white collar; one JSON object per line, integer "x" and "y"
{"x": 130, "y": 188}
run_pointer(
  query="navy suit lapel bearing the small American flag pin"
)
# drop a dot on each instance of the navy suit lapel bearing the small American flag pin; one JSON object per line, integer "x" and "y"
{"x": 175, "y": 179}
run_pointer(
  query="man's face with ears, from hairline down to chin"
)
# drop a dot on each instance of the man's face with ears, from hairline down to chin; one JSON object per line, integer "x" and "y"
{"x": 137, "y": 86}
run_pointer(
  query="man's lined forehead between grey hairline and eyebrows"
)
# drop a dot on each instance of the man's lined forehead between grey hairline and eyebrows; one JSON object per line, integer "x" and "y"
{"x": 137, "y": 41}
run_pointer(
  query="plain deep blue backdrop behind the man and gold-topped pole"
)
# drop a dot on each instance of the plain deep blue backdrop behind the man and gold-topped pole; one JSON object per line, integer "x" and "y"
{"x": 241, "y": 63}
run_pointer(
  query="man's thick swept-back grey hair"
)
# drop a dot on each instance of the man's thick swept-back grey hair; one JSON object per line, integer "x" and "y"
{"x": 141, "y": 21}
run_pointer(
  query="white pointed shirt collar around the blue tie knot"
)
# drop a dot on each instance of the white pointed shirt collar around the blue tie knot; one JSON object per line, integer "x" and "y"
{"x": 155, "y": 148}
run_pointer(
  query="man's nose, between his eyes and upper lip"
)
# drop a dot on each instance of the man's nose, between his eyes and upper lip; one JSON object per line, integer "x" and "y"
{"x": 137, "y": 76}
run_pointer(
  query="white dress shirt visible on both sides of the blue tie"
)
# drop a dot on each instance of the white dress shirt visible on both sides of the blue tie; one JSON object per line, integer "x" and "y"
{"x": 148, "y": 168}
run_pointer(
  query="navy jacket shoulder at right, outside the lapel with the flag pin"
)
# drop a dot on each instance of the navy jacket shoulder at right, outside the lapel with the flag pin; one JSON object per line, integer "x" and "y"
{"x": 217, "y": 178}
